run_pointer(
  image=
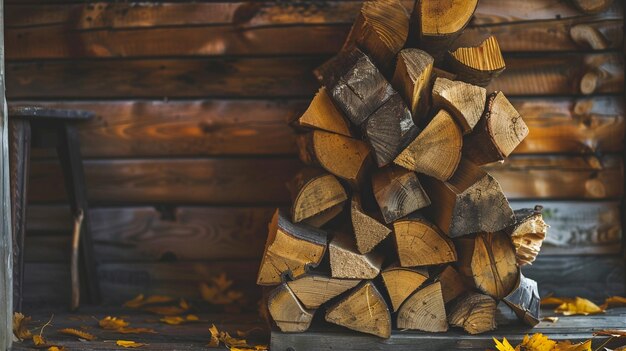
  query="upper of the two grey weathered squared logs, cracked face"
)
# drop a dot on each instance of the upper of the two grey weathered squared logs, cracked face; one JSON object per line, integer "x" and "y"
{"x": 355, "y": 84}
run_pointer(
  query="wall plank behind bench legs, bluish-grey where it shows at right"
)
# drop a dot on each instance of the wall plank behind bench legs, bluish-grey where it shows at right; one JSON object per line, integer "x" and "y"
{"x": 145, "y": 234}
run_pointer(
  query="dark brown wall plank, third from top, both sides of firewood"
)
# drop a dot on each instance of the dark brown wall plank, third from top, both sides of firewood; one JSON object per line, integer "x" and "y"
{"x": 286, "y": 76}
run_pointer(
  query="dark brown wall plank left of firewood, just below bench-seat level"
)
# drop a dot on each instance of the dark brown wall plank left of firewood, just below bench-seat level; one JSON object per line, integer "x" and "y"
{"x": 207, "y": 181}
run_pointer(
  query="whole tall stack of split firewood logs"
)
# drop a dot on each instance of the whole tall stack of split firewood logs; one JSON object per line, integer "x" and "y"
{"x": 394, "y": 223}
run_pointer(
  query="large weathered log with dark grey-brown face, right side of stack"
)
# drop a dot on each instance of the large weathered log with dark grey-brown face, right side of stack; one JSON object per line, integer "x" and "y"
{"x": 470, "y": 202}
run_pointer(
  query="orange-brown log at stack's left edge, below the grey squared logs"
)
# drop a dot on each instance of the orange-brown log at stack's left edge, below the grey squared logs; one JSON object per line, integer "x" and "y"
{"x": 344, "y": 157}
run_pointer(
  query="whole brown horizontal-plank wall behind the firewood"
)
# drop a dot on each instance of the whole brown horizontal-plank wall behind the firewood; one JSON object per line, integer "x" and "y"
{"x": 190, "y": 150}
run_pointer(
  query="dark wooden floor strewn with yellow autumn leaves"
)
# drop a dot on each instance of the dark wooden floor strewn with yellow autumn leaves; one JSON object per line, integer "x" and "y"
{"x": 323, "y": 337}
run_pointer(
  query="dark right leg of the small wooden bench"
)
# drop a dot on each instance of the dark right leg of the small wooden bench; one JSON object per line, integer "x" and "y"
{"x": 68, "y": 148}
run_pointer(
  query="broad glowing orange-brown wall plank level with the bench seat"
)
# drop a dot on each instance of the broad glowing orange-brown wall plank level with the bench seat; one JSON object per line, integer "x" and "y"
{"x": 126, "y": 128}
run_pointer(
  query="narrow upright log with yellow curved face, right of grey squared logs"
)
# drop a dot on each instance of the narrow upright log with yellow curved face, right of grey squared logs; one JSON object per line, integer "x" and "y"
{"x": 411, "y": 79}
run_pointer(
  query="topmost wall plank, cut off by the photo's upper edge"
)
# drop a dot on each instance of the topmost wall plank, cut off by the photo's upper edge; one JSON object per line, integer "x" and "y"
{"x": 105, "y": 15}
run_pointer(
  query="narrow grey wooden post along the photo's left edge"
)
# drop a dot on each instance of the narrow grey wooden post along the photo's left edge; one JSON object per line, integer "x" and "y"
{"x": 6, "y": 242}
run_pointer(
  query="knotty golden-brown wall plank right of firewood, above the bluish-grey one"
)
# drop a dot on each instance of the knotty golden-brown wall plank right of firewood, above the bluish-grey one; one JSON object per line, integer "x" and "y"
{"x": 560, "y": 177}
